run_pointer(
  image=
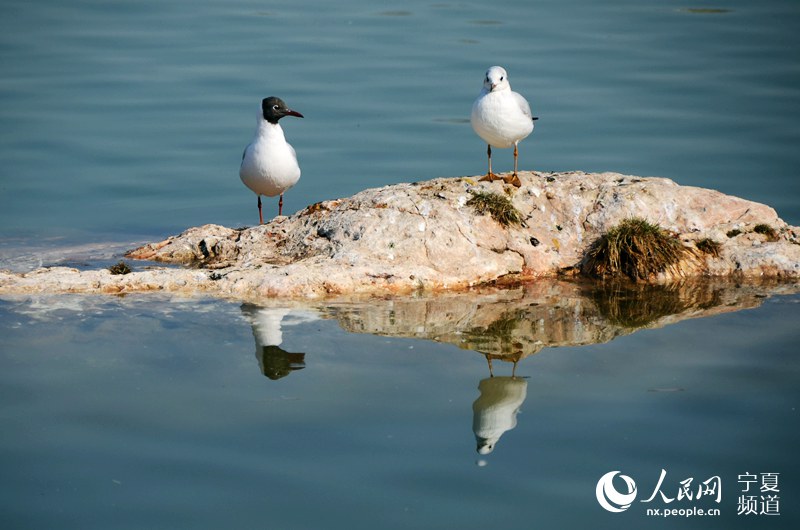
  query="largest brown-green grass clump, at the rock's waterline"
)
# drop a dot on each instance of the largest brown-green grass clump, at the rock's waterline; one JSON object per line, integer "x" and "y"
{"x": 634, "y": 248}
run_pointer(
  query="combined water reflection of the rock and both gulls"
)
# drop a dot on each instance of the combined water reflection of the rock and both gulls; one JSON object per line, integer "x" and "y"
{"x": 509, "y": 325}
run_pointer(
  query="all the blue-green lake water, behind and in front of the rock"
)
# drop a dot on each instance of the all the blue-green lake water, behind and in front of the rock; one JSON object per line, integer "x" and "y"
{"x": 125, "y": 121}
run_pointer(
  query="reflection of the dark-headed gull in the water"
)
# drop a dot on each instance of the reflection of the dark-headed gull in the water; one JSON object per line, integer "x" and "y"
{"x": 274, "y": 361}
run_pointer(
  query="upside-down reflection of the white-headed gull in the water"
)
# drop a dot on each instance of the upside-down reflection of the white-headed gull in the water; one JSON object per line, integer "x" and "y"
{"x": 495, "y": 410}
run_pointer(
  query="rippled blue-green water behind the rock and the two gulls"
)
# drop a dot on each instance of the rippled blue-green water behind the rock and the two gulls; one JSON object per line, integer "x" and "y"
{"x": 128, "y": 118}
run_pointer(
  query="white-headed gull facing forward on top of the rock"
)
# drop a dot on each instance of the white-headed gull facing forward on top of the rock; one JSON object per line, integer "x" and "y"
{"x": 501, "y": 117}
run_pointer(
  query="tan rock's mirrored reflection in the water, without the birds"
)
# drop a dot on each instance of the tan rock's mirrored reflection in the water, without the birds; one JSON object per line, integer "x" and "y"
{"x": 512, "y": 324}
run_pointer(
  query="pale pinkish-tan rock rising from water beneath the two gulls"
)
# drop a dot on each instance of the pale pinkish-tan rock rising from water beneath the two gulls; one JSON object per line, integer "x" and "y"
{"x": 424, "y": 236}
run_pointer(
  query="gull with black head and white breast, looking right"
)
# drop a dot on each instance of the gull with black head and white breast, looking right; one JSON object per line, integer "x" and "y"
{"x": 269, "y": 164}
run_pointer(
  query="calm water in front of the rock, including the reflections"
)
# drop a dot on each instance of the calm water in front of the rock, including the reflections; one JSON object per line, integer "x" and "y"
{"x": 156, "y": 413}
